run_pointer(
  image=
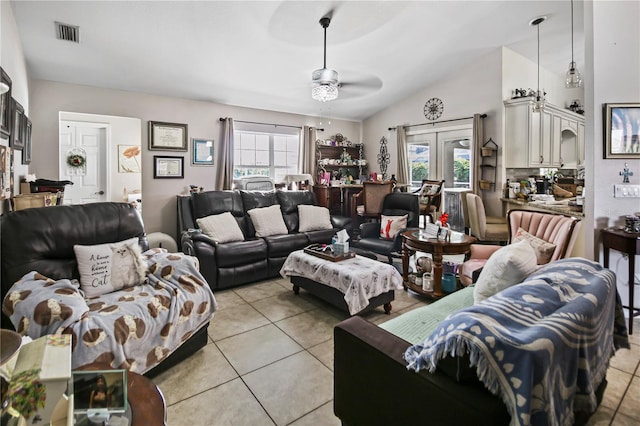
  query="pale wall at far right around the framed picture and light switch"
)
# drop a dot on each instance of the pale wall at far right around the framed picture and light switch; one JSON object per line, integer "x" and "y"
{"x": 612, "y": 75}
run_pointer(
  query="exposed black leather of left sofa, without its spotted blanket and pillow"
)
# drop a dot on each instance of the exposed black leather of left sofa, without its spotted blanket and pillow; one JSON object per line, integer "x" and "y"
{"x": 42, "y": 239}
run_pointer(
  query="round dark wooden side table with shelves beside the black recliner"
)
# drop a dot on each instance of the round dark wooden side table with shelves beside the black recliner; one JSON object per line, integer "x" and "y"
{"x": 417, "y": 240}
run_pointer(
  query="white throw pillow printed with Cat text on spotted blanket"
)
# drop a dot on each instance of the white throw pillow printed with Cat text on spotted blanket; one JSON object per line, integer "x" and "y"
{"x": 105, "y": 268}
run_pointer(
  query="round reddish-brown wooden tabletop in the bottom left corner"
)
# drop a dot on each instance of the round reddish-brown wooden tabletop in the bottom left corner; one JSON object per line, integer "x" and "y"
{"x": 145, "y": 399}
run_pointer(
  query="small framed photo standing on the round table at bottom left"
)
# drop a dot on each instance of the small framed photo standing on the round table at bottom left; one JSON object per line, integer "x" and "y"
{"x": 99, "y": 391}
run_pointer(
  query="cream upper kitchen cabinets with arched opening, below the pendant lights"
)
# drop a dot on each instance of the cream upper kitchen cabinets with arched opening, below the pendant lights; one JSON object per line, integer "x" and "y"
{"x": 550, "y": 138}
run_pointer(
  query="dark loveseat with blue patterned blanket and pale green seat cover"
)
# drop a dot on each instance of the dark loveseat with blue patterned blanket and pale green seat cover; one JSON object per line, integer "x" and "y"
{"x": 572, "y": 301}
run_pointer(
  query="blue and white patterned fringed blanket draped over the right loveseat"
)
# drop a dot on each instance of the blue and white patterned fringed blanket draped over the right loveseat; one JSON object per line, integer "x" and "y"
{"x": 543, "y": 346}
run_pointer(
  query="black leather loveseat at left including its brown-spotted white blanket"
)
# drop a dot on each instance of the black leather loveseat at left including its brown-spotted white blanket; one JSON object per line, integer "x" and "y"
{"x": 146, "y": 327}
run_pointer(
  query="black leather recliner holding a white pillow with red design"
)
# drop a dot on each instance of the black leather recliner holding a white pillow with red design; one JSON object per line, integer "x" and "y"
{"x": 394, "y": 204}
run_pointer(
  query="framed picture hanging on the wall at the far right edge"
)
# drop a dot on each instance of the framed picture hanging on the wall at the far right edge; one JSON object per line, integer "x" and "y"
{"x": 622, "y": 131}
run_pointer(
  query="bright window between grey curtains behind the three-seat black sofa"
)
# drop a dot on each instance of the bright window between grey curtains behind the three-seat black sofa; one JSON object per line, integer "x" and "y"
{"x": 265, "y": 154}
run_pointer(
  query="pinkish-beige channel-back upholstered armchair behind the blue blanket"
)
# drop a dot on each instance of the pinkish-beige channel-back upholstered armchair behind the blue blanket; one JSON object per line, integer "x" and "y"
{"x": 551, "y": 235}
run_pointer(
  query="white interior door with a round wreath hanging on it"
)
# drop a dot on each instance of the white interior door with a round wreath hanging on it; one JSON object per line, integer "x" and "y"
{"x": 90, "y": 181}
